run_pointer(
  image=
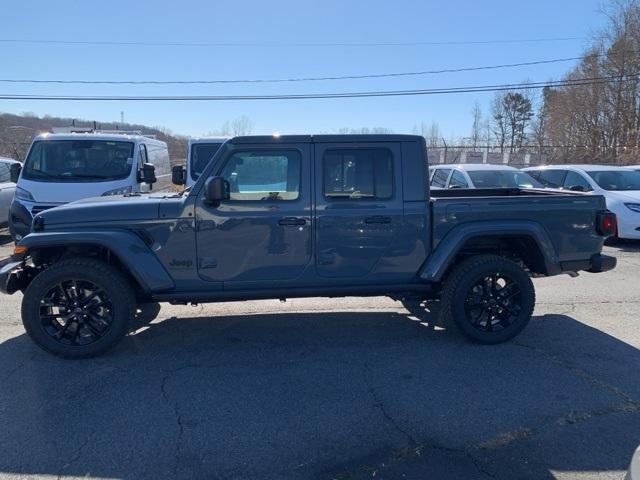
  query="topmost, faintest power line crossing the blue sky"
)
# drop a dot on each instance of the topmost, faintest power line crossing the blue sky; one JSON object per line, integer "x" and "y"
{"x": 289, "y": 44}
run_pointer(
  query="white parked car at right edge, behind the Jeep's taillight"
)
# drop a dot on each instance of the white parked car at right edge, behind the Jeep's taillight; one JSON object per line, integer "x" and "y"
{"x": 620, "y": 186}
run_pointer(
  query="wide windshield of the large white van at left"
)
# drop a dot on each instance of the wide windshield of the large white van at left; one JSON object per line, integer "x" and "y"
{"x": 78, "y": 160}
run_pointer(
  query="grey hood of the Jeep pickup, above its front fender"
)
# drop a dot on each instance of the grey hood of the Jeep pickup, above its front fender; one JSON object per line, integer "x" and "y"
{"x": 103, "y": 210}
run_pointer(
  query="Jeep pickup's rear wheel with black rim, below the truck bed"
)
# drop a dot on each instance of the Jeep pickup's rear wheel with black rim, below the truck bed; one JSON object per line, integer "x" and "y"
{"x": 489, "y": 298}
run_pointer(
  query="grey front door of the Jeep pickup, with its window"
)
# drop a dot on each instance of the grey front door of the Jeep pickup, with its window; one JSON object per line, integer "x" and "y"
{"x": 262, "y": 234}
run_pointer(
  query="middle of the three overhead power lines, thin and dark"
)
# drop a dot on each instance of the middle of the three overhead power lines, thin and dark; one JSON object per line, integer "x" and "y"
{"x": 283, "y": 80}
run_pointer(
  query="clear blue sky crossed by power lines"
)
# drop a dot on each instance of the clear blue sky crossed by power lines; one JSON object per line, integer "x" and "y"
{"x": 278, "y": 22}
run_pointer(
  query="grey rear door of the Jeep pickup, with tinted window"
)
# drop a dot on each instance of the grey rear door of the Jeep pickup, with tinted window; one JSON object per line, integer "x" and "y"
{"x": 359, "y": 208}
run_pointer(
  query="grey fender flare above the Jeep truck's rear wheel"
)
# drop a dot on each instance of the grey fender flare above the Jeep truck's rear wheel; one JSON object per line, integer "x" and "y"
{"x": 443, "y": 255}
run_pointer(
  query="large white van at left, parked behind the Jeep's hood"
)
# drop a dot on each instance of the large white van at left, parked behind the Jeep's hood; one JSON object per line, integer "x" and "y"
{"x": 62, "y": 168}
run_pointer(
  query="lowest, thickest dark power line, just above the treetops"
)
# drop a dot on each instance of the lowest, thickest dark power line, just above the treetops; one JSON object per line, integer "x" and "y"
{"x": 311, "y": 96}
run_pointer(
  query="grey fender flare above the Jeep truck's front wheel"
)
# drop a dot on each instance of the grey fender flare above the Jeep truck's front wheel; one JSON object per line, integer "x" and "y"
{"x": 140, "y": 261}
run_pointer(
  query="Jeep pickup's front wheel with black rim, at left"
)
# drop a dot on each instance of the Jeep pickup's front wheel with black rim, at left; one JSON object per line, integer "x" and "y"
{"x": 78, "y": 308}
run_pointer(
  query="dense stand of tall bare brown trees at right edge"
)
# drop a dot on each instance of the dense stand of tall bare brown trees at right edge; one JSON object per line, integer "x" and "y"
{"x": 600, "y": 121}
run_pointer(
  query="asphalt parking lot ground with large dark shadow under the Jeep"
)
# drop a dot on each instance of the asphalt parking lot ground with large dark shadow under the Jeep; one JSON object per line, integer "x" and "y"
{"x": 336, "y": 389}
